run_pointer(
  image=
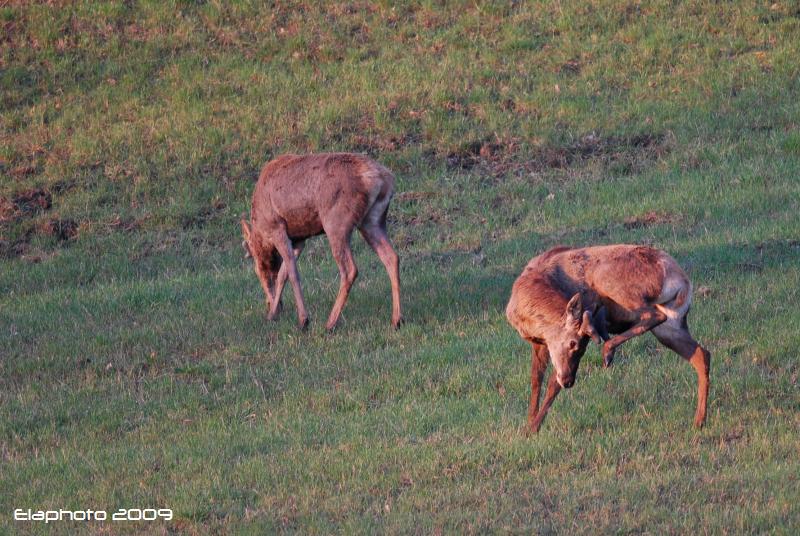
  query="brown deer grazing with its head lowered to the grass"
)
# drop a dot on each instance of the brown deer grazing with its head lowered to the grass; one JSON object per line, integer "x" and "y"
{"x": 301, "y": 196}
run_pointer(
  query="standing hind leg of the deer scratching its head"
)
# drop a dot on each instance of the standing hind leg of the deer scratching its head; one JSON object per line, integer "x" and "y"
{"x": 675, "y": 336}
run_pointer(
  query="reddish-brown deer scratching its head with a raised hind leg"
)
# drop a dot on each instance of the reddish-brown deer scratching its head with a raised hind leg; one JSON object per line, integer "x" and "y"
{"x": 566, "y": 297}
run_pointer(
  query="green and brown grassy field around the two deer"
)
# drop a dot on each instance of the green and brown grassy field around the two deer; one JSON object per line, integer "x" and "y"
{"x": 137, "y": 369}
